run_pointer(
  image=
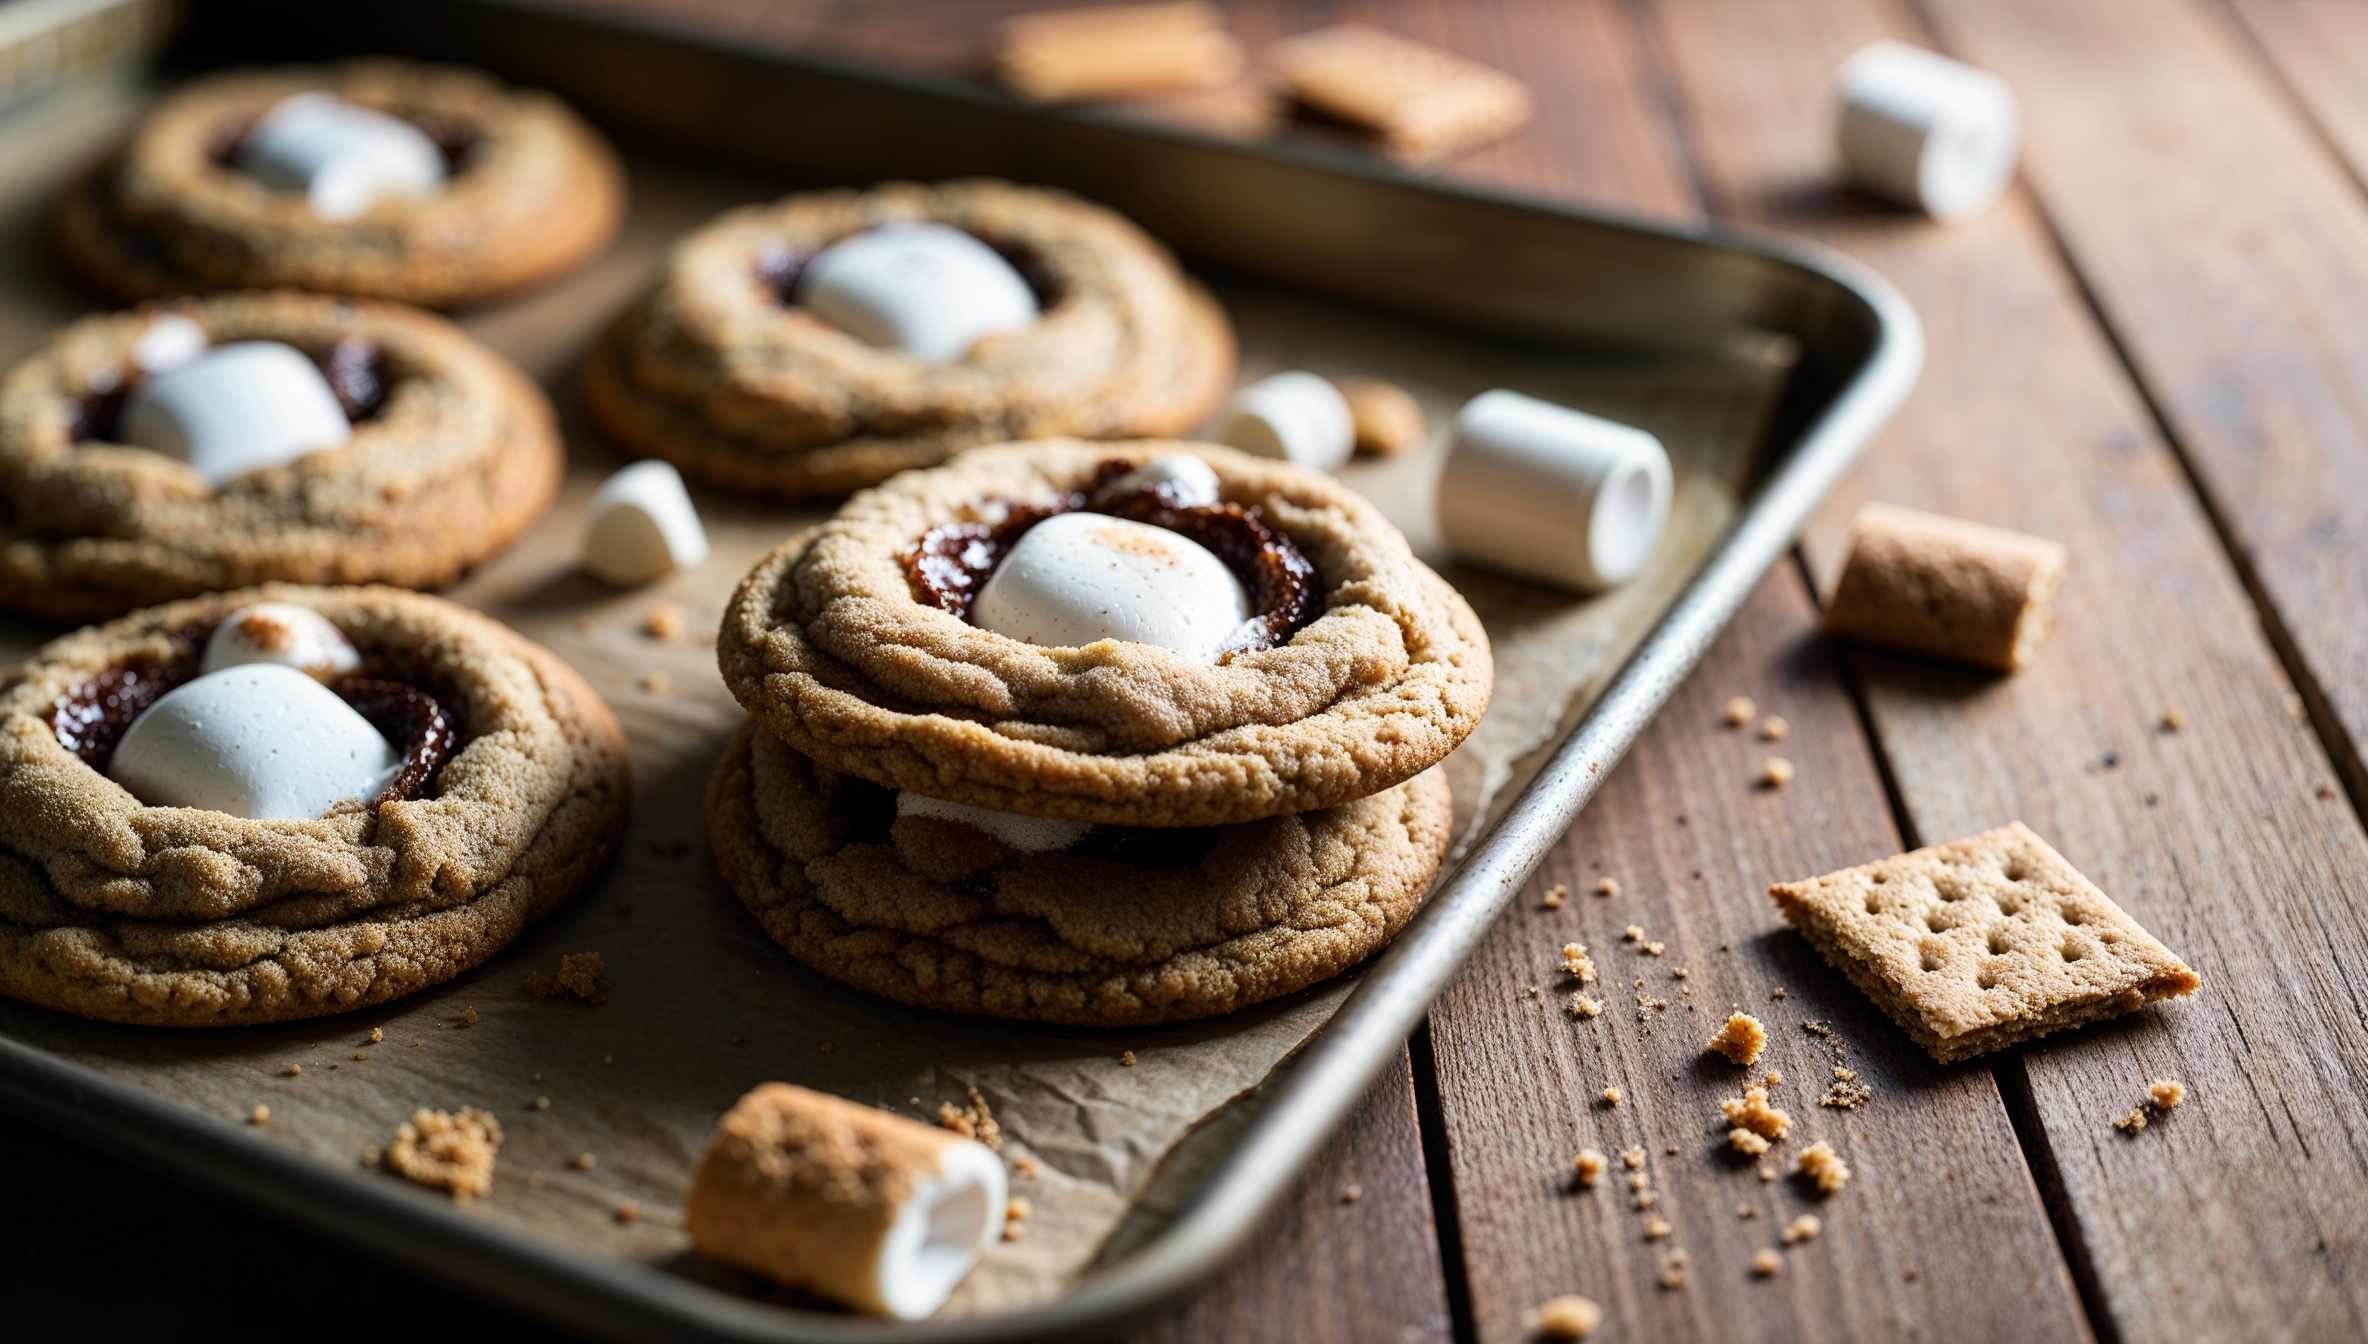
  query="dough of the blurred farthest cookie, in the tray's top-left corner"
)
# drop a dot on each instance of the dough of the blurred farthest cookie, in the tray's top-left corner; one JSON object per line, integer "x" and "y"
{"x": 532, "y": 195}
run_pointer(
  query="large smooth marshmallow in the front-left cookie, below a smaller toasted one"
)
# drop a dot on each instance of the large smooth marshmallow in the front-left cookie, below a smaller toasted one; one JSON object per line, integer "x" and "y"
{"x": 259, "y": 742}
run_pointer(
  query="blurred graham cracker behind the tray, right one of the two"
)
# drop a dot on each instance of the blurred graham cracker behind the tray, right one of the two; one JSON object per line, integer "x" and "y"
{"x": 1424, "y": 103}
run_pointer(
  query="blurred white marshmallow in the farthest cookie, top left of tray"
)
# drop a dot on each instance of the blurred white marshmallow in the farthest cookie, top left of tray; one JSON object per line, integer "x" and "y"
{"x": 340, "y": 155}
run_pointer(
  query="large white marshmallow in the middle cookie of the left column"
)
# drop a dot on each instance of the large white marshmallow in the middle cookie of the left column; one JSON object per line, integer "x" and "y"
{"x": 236, "y": 408}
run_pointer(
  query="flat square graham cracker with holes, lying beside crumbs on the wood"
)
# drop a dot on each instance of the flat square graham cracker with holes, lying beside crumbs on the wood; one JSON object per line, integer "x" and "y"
{"x": 1983, "y": 943}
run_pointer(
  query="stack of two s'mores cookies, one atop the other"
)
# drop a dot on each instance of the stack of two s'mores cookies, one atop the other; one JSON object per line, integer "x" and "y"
{"x": 1093, "y": 735}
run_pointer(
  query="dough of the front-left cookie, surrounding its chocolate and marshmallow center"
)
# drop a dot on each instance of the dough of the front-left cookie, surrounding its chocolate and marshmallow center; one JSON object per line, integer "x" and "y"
{"x": 179, "y": 917}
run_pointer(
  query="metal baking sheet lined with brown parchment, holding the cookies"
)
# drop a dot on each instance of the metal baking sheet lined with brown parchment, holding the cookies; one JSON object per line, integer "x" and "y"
{"x": 1763, "y": 368}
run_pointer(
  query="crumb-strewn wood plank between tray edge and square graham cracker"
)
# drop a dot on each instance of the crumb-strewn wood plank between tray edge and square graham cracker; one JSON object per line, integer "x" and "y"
{"x": 1694, "y": 844}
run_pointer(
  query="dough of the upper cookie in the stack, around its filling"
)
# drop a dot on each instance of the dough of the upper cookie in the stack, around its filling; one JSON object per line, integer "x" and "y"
{"x": 830, "y": 647}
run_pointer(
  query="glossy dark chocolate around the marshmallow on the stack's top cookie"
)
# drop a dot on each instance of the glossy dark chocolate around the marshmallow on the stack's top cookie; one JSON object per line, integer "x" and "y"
{"x": 953, "y": 562}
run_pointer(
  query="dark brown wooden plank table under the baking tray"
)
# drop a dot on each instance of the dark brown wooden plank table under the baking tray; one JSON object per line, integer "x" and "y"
{"x": 2154, "y": 351}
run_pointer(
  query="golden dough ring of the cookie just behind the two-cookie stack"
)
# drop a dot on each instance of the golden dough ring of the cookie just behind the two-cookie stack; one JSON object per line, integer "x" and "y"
{"x": 733, "y": 382}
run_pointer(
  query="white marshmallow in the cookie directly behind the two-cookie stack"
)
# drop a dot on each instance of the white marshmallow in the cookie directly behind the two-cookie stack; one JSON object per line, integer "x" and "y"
{"x": 918, "y": 287}
